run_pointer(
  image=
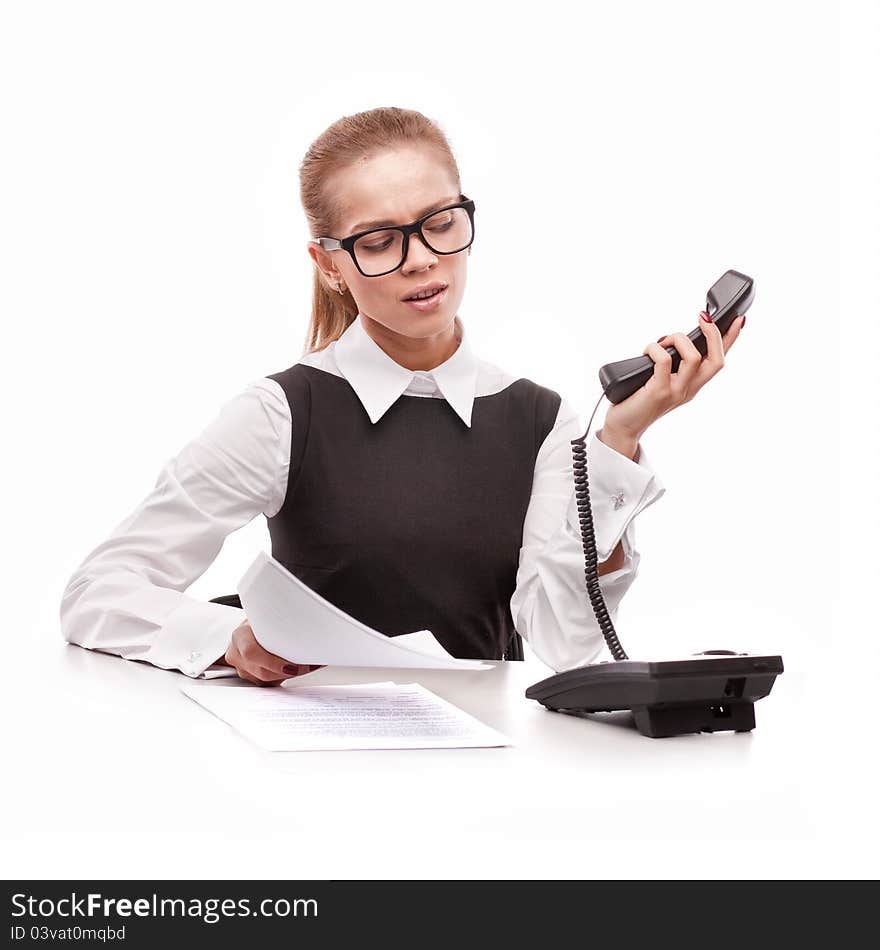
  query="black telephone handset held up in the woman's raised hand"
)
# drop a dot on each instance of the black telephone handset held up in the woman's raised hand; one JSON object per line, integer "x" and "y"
{"x": 729, "y": 297}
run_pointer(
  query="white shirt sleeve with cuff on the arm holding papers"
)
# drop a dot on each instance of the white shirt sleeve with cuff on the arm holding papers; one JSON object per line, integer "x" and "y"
{"x": 127, "y": 596}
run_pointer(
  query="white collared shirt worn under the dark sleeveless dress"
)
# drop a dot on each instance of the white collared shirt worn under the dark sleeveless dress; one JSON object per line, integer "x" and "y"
{"x": 128, "y": 596}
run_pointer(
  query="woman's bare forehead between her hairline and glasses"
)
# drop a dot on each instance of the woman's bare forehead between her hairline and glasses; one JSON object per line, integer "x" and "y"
{"x": 390, "y": 187}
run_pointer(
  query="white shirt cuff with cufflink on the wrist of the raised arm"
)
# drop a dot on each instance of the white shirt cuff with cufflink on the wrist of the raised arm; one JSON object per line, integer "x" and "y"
{"x": 619, "y": 490}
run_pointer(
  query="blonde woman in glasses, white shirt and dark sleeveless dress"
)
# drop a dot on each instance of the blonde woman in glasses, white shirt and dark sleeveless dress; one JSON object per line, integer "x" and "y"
{"x": 409, "y": 482}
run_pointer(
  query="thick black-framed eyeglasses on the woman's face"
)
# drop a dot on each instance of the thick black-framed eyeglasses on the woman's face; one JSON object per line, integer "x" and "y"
{"x": 380, "y": 251}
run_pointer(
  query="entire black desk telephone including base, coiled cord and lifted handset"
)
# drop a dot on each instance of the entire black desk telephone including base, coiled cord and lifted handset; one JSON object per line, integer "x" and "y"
{"x": 712, "y": 693}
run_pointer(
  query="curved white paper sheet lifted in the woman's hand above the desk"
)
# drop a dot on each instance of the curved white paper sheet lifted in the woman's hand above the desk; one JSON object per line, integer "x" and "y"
{"x": 291, "y": 620}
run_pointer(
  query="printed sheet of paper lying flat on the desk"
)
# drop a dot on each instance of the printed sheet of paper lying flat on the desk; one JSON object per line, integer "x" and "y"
{"x": 363, "y": 716}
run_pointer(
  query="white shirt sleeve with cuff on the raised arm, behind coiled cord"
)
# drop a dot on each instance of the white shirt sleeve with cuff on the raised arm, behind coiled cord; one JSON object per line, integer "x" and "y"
{"x": 550, "y": 605}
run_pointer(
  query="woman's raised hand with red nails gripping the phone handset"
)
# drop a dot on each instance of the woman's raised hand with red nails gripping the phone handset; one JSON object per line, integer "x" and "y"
{"x": 666, "y": 390}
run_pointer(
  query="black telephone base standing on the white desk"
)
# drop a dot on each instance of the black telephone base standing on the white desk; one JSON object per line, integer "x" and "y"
{"x": 667, "y": 697}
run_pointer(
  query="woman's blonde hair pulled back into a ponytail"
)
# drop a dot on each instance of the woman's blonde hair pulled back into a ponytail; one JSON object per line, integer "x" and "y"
{"x": 340, "y": 145}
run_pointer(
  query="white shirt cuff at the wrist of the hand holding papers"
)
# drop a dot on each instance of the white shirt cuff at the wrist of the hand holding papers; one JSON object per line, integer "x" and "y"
{"x": 195, "y": 635}
